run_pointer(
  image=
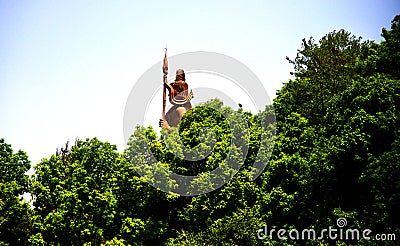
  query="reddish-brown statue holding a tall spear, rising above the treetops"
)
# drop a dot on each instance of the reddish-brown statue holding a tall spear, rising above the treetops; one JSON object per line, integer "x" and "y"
{"x": 179, "y": 96}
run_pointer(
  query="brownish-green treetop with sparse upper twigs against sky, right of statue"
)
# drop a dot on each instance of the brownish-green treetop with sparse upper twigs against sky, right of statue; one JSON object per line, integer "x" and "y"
{"x": 321, "y": 71}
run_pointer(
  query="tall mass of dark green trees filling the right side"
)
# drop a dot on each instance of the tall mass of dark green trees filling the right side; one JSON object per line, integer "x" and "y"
{"x": 332, "y": 155}
